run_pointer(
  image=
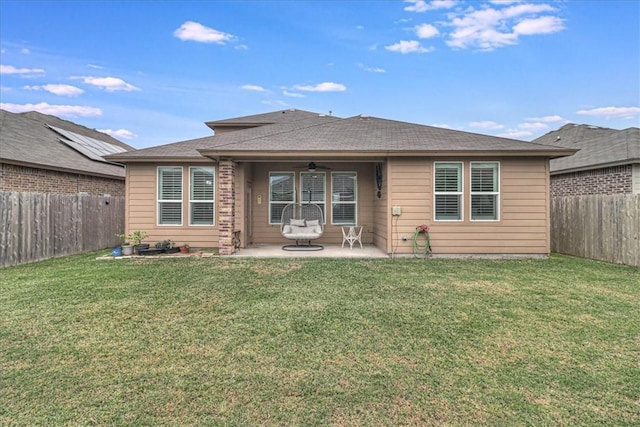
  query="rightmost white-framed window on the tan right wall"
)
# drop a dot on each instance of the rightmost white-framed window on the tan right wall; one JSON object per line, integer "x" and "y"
{"x": 484, "y": 191}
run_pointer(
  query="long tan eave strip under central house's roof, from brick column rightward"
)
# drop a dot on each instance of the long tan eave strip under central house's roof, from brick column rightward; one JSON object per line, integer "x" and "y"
{"x": 355, "y": 155}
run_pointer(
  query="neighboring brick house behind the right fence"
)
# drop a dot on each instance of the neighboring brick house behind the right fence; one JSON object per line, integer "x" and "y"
{"x": 608, "y": 161}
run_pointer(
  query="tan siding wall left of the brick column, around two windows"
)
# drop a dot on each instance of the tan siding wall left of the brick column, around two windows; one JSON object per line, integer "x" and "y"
{"x": 141, "y": 208}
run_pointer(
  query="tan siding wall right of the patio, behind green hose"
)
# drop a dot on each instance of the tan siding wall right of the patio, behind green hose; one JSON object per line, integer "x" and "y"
{"x": 523, "y": 226}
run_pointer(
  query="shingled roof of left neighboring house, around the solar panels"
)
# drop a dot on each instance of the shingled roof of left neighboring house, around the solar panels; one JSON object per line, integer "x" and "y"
{"x": 27, "y": 139}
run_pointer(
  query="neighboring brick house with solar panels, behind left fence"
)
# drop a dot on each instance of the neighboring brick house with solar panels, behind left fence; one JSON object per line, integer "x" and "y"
{"x": 44, "y": 154}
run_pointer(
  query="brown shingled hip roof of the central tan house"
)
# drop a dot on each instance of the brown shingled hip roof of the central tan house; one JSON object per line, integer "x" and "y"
{"x": 359, "y": 136}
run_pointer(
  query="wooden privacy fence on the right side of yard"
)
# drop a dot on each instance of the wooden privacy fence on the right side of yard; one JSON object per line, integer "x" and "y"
{"x": 601, "y": 227}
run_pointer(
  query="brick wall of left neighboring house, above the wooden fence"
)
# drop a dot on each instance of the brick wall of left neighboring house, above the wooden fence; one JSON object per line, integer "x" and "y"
{"x": 26, "y": 179}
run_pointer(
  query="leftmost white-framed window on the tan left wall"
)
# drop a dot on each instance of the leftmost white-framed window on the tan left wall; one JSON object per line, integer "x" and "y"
{"x": 170, "y": 195}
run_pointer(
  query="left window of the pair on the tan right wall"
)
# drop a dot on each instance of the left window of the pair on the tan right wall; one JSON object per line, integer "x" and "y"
{"x": 448, "y": 191}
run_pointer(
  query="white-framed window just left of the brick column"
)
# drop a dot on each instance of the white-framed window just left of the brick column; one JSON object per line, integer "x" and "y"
{"x": 201, "y": 195}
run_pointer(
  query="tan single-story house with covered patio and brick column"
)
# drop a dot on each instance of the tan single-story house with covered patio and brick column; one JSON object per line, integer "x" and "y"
{"x": 478, "y": 194}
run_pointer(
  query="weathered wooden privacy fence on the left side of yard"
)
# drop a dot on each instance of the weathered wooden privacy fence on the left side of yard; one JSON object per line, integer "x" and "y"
{"x": 37, "y": 226}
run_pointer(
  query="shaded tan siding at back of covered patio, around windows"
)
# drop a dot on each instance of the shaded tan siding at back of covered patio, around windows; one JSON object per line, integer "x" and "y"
{"x": 263, "y": 232}
